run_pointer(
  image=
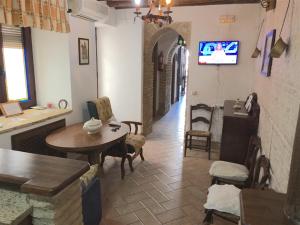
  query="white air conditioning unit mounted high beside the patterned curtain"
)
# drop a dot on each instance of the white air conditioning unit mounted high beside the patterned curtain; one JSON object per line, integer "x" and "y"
{"x": 91, "y": 10}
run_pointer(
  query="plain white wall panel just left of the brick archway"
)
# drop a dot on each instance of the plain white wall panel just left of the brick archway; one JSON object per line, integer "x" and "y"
{"x": 120, "y": 67}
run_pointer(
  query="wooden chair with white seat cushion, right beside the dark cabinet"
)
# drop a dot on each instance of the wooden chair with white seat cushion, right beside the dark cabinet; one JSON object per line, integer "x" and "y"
{"x": 223, "y": 172}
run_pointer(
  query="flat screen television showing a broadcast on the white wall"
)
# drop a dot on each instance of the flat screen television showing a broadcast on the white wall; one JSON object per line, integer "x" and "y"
{"x": 218, "y": 52}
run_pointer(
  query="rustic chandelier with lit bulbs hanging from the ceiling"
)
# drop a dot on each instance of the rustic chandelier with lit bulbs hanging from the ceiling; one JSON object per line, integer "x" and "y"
{"x": 160, "y": 18}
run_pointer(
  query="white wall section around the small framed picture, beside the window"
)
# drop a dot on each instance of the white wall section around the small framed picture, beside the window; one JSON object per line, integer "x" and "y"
{"x": 57, "y": 71}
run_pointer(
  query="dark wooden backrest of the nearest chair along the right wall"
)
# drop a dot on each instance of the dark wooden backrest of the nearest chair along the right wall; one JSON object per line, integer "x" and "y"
{"x": 261, "y": 174}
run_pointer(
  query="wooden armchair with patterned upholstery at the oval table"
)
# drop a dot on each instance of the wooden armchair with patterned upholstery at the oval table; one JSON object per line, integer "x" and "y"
{"x": 101, "y": 109}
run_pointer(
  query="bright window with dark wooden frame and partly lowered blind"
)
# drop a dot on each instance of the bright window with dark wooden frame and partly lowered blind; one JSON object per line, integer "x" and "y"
{"x": 16, "y": 66}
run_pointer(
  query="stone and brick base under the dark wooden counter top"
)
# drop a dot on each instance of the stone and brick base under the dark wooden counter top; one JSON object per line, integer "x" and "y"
{"x": 65, "y": 208}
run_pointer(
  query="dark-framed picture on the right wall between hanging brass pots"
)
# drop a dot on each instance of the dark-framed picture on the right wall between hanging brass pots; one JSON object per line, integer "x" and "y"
{"x": 267, "y": 59}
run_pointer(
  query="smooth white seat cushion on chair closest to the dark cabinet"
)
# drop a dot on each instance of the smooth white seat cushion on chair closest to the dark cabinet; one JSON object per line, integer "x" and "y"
{"x": 228, "y": 170}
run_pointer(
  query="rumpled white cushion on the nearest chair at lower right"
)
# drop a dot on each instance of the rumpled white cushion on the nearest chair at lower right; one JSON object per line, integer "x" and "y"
{"x": 224, "y": 198}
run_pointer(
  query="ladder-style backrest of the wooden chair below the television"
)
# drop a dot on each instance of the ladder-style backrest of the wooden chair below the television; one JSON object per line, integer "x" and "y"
{"x": 202, "y": 119}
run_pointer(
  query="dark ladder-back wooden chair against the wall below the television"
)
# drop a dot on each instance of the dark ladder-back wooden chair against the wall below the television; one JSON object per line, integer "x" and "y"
{"x": 206, "y": 134}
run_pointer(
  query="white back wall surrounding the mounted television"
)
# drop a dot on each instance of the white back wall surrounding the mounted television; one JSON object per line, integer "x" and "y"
{"x": 214, "y": 84}
